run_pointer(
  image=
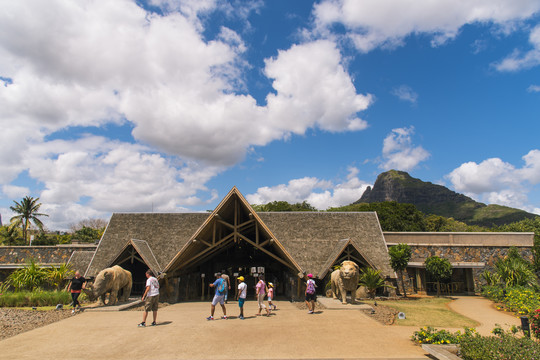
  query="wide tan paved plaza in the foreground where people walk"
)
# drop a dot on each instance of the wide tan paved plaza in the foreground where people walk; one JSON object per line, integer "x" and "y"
{"x": 183, "y": 333}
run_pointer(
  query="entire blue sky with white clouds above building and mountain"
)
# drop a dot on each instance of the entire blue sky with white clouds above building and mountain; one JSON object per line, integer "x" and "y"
{"x": 163, "y": 105}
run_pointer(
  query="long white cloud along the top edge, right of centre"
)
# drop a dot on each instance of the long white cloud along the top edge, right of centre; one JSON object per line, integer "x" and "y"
{"x": 374, "y": 23}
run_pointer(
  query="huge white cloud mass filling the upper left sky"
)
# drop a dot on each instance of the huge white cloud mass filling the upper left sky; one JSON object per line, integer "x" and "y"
{"x": 66, "y": 65}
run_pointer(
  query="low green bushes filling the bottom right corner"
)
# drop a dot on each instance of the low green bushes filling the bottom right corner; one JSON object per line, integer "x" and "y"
{"x": 505, "y": 345}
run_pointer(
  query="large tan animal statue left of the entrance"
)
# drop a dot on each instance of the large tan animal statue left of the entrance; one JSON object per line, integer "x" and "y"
{"x": 114, "y": 281}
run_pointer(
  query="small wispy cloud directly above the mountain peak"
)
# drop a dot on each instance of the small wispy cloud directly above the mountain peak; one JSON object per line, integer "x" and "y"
{"x": 399, "y": 153}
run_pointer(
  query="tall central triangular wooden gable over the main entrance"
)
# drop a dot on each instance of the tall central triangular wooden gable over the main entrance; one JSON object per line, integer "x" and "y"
{"x": 227, "y": 214}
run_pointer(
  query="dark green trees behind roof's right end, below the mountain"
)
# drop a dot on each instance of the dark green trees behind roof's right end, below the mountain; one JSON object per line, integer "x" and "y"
{"x": 392, "y": 215}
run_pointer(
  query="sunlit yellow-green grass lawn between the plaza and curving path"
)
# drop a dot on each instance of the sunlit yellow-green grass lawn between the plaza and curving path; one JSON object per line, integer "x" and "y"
{"x": 428, "y": 312}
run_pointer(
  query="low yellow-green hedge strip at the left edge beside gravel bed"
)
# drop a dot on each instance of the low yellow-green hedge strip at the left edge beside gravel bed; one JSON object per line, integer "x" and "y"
{"x": 34, "y": 298}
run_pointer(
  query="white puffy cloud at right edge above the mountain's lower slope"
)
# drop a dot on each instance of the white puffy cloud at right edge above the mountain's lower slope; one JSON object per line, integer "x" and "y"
{"x": 499, "y": 182}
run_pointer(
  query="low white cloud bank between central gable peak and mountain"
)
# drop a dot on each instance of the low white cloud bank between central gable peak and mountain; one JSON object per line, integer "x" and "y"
{"x": 321, "y": 194}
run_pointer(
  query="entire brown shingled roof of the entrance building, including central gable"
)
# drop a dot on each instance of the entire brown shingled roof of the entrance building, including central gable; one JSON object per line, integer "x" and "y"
{"x": 305, "y": 241}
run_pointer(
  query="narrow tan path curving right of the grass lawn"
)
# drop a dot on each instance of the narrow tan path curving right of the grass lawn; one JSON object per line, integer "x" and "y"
{"x": 483, "y": 311}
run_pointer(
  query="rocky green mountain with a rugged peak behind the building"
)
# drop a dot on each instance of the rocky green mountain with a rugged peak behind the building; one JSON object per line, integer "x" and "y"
{"x": 435, "y": 199}
